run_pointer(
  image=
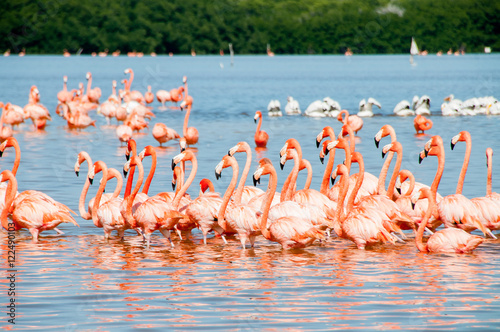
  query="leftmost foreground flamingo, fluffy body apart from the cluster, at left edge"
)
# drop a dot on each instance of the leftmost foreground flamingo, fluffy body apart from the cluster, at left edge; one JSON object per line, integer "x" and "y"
{"x": 35, "y": 212}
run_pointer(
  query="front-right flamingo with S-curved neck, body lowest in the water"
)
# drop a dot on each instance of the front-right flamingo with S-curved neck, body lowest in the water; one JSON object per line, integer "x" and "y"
{"x": 451, "y": 240}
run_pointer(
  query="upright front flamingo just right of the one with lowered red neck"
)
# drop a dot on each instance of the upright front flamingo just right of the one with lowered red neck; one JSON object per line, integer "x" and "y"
{"x": 236, "y": 217}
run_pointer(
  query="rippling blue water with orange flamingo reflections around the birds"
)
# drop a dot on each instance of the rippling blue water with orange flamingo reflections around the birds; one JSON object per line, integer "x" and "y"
{"x": 80, "y": 282}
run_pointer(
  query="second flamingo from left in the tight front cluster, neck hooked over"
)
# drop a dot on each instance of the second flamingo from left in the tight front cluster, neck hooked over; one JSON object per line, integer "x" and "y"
{"x": 107, "y": 215}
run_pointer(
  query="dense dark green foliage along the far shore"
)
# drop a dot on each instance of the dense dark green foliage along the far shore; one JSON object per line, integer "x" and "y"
{"x": 289, "y": 26}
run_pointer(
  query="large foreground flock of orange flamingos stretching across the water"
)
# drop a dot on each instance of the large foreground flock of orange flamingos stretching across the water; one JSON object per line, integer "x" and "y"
{"x": 358, "y": 208}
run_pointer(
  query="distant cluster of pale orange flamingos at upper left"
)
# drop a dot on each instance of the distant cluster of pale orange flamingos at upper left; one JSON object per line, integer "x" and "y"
{"x": 128, "y": 107}
